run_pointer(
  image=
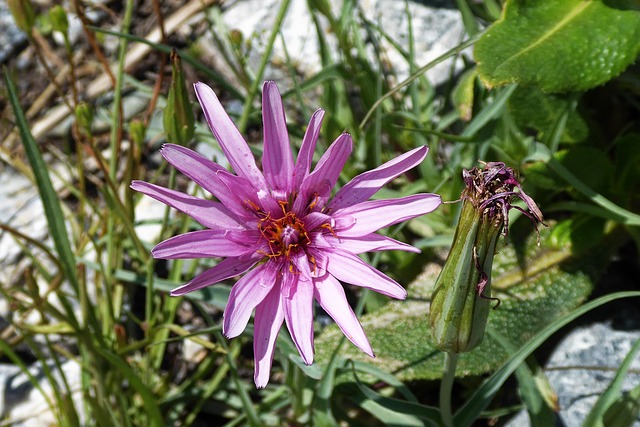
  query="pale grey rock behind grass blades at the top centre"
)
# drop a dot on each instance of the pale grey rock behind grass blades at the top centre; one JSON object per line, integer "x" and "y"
{"x": 436, "y": 30}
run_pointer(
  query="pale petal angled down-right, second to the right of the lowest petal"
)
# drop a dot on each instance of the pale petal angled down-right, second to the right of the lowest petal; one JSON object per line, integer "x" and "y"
{"x": 330, "y": 294}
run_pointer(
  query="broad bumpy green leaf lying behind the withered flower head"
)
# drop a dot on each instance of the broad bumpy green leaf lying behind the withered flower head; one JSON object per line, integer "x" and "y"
{"x": 536, "y": 285}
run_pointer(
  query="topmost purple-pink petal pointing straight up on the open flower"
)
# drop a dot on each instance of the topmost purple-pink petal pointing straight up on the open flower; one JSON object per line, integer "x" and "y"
{"x": 277, "y": 160}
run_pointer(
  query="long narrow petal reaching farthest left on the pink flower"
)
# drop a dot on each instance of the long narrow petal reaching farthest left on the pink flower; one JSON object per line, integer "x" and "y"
{"x": 211, "y": 214}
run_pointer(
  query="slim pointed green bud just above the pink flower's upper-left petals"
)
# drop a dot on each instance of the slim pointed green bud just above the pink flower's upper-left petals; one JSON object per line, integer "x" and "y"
{"x": 178, "y": 117}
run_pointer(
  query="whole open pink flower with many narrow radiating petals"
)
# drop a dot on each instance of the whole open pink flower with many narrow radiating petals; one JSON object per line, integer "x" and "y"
{"x": 283, "y": 229}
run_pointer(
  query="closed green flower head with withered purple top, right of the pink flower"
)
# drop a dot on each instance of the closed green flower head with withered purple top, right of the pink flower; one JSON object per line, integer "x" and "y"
{"x": 462, "y": 295}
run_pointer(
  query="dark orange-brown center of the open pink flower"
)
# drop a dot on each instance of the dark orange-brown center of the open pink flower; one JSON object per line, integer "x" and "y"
{"x": 284, "y": 235}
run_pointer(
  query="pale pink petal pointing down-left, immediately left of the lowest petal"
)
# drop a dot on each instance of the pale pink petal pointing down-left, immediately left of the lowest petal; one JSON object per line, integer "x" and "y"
{"x": 245, "y": 295}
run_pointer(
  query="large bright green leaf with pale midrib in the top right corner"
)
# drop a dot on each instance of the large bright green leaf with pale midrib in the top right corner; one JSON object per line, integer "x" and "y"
{"x": 560, "y": 45}
